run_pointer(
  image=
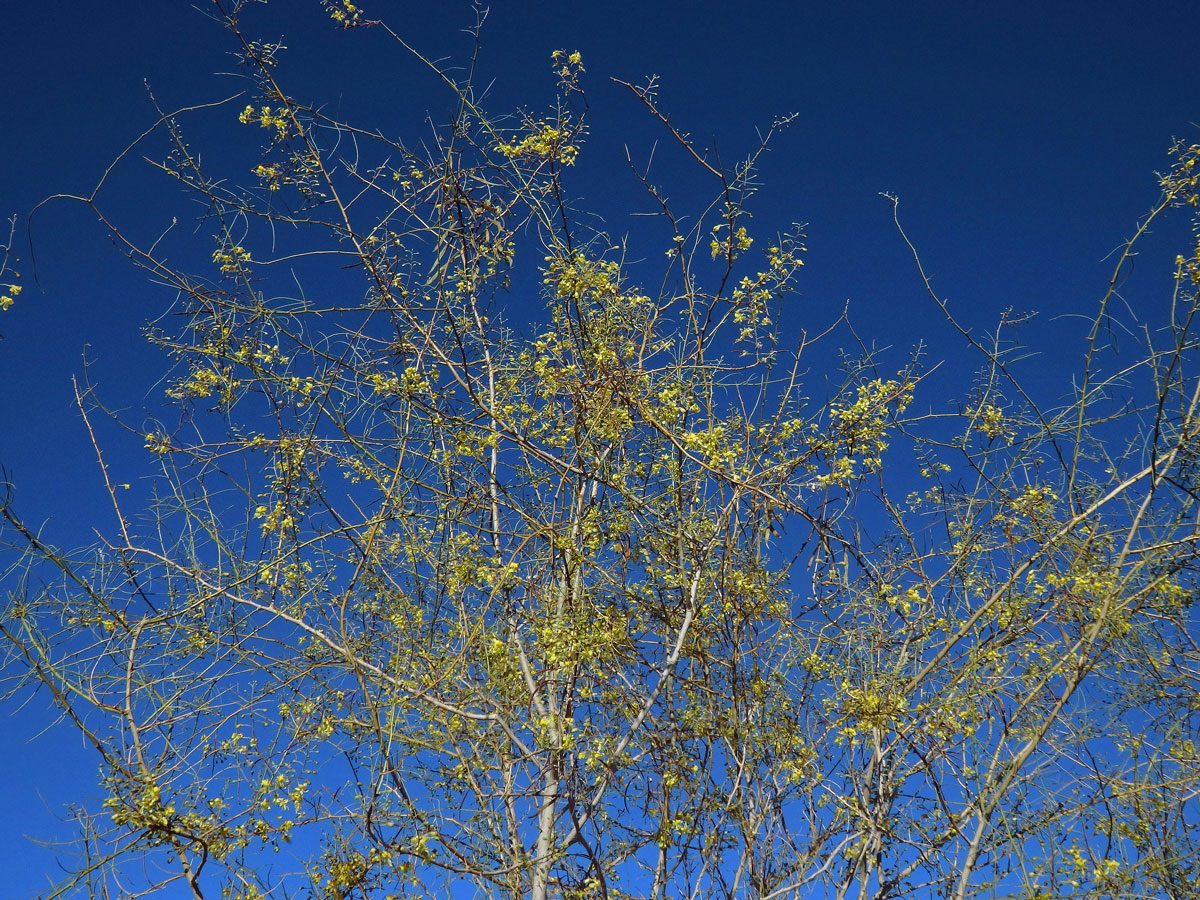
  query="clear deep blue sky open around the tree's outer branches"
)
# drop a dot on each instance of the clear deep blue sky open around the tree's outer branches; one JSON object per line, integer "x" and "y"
{"x": 1021, "y": 137}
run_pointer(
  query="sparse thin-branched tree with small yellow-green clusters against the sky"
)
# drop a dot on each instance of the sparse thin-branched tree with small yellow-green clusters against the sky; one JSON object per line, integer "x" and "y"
{"x": 430, "y": 605}
